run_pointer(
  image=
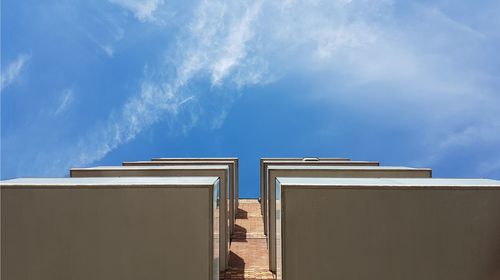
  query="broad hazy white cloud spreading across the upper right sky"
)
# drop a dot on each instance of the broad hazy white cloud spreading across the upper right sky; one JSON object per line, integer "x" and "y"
{"x": 429, "y": 66}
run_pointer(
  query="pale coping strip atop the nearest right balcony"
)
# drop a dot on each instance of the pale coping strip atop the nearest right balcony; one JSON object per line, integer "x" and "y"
{"x": 389, "y": 182}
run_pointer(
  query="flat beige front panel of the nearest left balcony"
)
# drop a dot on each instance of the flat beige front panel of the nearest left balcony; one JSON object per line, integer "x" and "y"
{"x": 105, "y": 233}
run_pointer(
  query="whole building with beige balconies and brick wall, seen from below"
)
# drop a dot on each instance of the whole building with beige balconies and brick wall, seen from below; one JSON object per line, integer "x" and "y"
{"x": 180, "y": 218}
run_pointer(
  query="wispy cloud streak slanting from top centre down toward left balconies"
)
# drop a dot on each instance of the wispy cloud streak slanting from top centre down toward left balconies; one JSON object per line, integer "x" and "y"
{"x": 215, "y": 44}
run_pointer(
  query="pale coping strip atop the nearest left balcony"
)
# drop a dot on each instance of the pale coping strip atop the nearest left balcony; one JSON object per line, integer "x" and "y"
{"x": 110, "y": 182}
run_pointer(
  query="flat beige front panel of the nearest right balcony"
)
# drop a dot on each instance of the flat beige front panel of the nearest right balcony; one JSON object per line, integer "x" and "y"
{"x": 391, "y": 234}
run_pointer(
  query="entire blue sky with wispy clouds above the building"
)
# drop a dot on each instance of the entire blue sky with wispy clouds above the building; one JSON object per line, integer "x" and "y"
{"x": 98, "y": 82}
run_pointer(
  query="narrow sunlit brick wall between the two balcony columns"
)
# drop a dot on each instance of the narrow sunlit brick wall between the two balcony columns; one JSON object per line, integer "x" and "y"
{"x": 249, "y": 257}
